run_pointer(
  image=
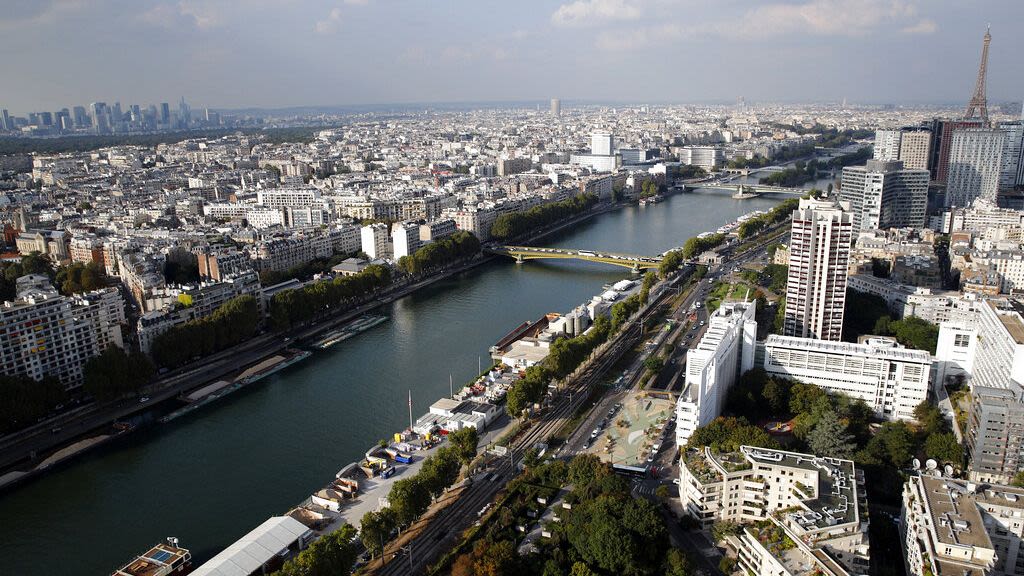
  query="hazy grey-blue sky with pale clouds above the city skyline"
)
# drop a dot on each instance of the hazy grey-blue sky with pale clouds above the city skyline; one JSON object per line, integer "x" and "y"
{"x": 276, "y": 54}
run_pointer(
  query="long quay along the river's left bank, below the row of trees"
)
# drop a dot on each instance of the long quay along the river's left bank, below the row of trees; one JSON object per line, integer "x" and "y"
{"x": 22, "y": 452}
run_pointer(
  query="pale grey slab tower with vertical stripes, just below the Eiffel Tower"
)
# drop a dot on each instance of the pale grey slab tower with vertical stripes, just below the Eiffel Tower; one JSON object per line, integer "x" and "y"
{"x": 975, "y": 164}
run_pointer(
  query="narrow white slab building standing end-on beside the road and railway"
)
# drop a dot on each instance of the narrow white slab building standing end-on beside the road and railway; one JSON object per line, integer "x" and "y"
{"x": 726, "y": 352}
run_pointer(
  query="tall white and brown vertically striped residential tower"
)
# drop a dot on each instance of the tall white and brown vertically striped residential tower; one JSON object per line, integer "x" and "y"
{"x": 820, "y": 255}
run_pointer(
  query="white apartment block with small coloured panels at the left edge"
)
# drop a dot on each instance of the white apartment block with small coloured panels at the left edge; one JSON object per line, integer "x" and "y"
{"x": 44, "y": 334}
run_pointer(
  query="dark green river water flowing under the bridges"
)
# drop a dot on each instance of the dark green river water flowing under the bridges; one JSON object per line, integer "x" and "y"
{"x": 210, "y": 477}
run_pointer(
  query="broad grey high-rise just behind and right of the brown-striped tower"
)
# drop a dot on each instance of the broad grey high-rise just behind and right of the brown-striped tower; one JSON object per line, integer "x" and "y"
{"x": 885, "y": 195}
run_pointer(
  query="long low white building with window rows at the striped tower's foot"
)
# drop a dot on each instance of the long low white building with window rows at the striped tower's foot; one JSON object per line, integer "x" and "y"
{"x": 891, "y": 380}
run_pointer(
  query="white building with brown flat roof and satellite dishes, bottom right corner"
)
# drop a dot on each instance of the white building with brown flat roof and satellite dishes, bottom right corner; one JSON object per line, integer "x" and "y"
{"x": 956, "y": 528}
